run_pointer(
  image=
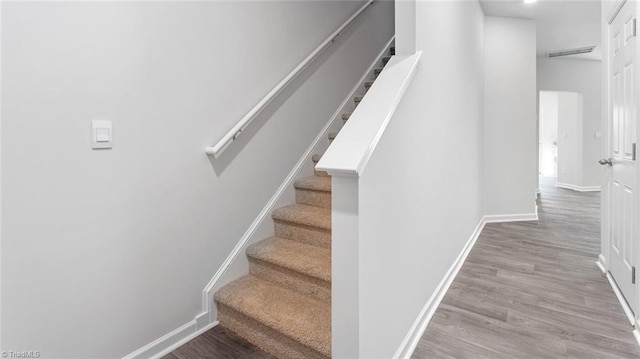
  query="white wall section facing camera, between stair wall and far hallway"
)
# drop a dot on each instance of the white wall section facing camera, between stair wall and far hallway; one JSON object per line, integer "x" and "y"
{"x": 510, "y": 125}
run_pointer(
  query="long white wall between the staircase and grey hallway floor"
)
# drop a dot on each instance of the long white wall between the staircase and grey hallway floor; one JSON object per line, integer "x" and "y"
{"x": 417, "y": 213}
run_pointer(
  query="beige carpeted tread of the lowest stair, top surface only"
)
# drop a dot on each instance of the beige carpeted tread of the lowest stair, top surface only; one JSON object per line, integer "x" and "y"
{"x": 297, "y": 316}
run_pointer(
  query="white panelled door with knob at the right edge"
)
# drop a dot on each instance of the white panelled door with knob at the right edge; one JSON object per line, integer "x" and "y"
{"x": 622, "y": 131}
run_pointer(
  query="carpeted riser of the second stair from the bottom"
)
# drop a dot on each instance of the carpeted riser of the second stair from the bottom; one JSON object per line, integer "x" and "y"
{"x": 313, "y": 287}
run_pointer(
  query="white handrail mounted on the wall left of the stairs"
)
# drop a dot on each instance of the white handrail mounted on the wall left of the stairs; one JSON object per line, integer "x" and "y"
{"x": 236, "y": 130}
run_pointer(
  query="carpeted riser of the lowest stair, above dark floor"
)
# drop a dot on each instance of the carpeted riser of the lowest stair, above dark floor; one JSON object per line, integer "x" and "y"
{"x": 264, "y": 337}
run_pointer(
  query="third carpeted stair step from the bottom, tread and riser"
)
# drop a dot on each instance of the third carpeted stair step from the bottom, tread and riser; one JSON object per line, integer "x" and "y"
{"x": 306, "y": 224}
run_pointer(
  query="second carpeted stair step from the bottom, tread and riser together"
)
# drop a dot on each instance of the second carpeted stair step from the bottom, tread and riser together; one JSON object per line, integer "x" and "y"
{"x": 300, "y": 267}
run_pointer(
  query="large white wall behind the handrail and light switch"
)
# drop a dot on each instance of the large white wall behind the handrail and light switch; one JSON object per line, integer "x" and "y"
{"x": 105, "y": 251}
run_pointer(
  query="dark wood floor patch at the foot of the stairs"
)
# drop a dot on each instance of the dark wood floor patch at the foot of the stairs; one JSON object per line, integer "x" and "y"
{"x": 218, "y": 343}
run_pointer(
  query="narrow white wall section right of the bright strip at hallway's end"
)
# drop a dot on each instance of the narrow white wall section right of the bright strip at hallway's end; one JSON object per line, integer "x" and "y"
{"x": 569, "y": 138}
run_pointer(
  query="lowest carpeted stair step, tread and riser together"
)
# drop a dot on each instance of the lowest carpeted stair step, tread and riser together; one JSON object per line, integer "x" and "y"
{"x": 280, "y": 321}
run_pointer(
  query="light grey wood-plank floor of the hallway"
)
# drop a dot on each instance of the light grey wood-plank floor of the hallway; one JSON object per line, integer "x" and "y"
{"x": 532, "y": 290}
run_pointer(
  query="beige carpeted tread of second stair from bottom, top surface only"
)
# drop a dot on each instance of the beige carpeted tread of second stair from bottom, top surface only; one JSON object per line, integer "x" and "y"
{"x": 303, "y": 258}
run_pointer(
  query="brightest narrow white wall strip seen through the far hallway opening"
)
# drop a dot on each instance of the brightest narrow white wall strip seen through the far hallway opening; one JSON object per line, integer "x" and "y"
{"x": 548, "y": 139}
